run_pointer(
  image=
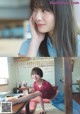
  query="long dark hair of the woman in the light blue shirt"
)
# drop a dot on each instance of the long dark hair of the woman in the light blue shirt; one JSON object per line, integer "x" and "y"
{"x": 65, "y": 30}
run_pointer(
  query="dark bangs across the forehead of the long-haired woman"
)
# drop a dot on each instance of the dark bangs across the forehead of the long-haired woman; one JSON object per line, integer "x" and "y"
{"x": 42, "y": 4}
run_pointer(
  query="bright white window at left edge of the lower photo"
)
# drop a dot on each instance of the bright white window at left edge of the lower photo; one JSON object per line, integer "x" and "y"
{"x": 4, "y": 75}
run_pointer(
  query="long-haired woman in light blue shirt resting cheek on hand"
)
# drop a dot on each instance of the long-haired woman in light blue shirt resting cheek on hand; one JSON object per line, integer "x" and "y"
{"x": 53, "y": 30}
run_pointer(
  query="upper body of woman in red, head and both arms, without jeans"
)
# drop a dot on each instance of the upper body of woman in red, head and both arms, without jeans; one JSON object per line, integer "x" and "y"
{"x": 42, "y": 89}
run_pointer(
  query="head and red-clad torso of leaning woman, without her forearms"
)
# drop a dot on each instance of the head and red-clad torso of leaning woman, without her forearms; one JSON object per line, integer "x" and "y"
{"x": 42, "y": 85}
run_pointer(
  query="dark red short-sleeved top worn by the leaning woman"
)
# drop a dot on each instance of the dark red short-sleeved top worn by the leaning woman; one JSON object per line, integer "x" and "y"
{"x": 46, "y": 89}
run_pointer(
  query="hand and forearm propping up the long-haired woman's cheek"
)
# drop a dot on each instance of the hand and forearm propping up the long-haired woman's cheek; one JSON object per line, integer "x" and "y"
{"x": 36, "y": 40}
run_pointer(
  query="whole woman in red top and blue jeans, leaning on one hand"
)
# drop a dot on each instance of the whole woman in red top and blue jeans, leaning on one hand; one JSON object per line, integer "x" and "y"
{"x": 44, "y": 89}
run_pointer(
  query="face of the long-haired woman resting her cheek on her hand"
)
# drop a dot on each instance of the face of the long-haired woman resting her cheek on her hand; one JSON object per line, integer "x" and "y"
{"x": 45, "y": 20}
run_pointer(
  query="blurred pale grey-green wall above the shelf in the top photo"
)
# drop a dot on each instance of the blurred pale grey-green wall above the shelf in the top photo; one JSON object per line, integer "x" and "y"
{"x": 14, "y": 9}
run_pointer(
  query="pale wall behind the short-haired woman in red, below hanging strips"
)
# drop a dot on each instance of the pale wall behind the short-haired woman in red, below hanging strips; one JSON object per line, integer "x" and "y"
{"x": 23, "y": 72}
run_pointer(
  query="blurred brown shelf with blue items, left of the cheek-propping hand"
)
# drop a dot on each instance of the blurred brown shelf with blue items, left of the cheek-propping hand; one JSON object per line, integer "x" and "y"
{"x": 11, "y": 28}
